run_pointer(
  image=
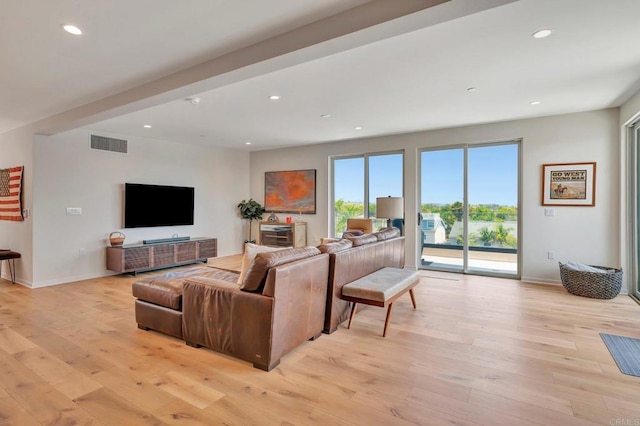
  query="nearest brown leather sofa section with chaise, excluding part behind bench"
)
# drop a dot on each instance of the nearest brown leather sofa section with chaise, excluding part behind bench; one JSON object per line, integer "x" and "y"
{"x": 279, "y": 305}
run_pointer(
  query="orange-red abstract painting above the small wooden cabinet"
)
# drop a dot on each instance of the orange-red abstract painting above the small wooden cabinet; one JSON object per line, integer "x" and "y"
{"x": 291, "y": 191}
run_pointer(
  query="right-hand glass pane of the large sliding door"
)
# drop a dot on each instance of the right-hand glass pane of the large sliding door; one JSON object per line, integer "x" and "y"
{"x": 492, "y": 230}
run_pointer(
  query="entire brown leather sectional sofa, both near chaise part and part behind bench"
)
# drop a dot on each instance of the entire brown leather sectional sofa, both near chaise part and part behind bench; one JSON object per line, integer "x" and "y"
{"x": 286, "y": 297}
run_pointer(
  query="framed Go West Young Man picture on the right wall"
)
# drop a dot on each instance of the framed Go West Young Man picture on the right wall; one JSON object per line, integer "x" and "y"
{"x": 571, "y": 184}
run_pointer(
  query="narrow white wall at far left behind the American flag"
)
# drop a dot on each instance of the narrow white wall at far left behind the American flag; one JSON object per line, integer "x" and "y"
{"x": 17, "y": 149}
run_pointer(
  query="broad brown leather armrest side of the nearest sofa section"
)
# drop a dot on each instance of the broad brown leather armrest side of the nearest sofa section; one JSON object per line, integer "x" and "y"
{"x": 218, "y": 315}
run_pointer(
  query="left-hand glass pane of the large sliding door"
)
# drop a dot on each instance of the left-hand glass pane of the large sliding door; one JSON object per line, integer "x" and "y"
{"x": 442, "y": 193}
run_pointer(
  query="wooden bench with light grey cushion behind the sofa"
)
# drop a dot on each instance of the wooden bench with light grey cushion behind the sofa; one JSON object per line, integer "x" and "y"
{"x": 381, "y": 288}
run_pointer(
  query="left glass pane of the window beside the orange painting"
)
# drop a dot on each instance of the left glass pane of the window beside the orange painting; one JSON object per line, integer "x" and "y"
{"x": 348, "y": 191}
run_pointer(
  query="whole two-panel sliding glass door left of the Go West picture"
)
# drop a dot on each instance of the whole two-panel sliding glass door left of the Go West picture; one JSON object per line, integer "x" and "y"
{"x": 469, "y": 208}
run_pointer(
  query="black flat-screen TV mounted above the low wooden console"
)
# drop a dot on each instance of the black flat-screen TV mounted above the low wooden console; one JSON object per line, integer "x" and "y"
{"x": 157, "y": 205}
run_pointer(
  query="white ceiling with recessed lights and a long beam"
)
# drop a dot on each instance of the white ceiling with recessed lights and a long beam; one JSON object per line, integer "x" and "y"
{"x": 409, "y": 74}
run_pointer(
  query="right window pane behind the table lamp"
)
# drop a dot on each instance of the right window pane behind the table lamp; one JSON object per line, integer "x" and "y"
{"x": 385, "y": 179}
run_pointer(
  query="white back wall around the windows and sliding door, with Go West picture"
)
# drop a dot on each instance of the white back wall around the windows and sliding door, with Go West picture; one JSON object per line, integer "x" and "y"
{"x": 583, "y": 234}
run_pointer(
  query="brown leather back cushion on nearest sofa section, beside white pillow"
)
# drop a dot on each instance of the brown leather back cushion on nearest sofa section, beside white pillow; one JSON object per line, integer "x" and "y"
{"x": 256, "y": 275}
